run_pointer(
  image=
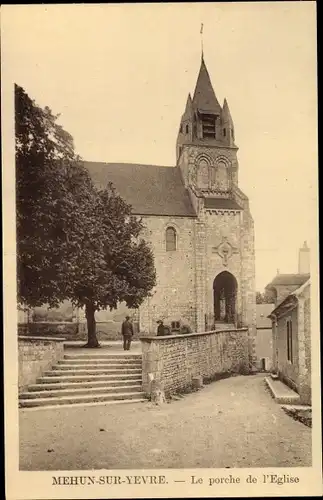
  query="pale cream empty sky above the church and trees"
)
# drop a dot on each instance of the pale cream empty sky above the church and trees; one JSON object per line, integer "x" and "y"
{"x": 119, "y": 76}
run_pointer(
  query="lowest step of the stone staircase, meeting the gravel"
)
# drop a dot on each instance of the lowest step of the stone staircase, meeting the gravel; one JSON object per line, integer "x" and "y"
{"x": 61, "y": 400}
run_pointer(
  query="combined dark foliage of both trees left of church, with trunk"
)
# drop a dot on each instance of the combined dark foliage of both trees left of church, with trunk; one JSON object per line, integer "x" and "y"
{"x": 73, "y": 241}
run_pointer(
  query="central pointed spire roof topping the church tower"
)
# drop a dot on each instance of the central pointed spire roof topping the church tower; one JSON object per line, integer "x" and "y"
{"x": 204, "y": 97}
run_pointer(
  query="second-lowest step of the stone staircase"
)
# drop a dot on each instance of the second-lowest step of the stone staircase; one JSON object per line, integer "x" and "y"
{"x": 49, "y": 393}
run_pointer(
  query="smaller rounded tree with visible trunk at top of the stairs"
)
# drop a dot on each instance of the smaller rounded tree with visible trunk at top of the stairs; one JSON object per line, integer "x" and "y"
{"x": 119, "y": 268}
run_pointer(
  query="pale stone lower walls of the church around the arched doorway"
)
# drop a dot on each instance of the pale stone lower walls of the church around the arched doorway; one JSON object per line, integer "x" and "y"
{"x": 185, "y": 277}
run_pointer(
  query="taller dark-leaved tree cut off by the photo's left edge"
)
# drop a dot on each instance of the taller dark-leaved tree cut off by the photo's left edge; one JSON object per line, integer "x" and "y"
{"x": 50, "y": 182}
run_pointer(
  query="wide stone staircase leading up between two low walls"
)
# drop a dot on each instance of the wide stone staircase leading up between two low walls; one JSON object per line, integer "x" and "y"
{"x": 90, "y": 378}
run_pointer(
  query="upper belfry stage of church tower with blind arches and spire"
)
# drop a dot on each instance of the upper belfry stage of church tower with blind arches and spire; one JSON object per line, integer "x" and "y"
{"x": 206, "y": 134}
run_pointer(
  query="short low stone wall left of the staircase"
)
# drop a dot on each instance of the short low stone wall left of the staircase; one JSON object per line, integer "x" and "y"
{"x": 36, "y": 355}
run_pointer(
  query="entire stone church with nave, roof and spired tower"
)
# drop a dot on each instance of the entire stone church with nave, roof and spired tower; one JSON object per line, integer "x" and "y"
{"x": 197, "y": 221}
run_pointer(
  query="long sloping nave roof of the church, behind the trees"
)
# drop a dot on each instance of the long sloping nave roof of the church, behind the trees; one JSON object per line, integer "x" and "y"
{"x": 150, "y": 189}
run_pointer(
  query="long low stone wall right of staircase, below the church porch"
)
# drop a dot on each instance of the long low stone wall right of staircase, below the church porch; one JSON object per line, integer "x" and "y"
{"x": 174, "y": 360}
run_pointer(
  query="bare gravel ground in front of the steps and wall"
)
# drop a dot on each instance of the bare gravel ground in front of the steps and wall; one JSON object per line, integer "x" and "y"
{"x": 230, "y": 423}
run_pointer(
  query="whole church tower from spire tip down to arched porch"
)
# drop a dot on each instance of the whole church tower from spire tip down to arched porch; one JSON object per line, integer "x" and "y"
{"x": 206, "y": 154}
